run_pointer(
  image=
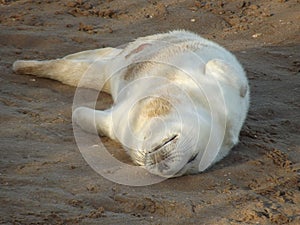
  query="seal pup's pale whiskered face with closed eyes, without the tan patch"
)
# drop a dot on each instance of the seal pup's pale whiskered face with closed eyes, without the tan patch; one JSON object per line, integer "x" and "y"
{"x": 167, "y": 145}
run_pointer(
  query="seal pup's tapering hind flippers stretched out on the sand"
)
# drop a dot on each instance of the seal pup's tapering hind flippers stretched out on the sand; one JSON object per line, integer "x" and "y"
{"x": 71, "y": 69}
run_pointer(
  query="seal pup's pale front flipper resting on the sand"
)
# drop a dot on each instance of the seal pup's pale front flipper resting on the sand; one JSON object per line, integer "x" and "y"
{"x": 94, "y": 121}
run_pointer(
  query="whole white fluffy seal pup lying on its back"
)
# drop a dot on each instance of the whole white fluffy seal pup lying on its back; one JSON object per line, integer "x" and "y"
{"x": 179, "y": 100}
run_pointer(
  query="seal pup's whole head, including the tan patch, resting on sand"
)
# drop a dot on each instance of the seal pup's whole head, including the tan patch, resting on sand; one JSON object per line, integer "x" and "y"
{"x": 168, "y": 137}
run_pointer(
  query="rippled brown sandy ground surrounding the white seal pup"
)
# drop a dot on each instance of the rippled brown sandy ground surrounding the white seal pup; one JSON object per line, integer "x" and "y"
{"x": 45, "y": 180}
